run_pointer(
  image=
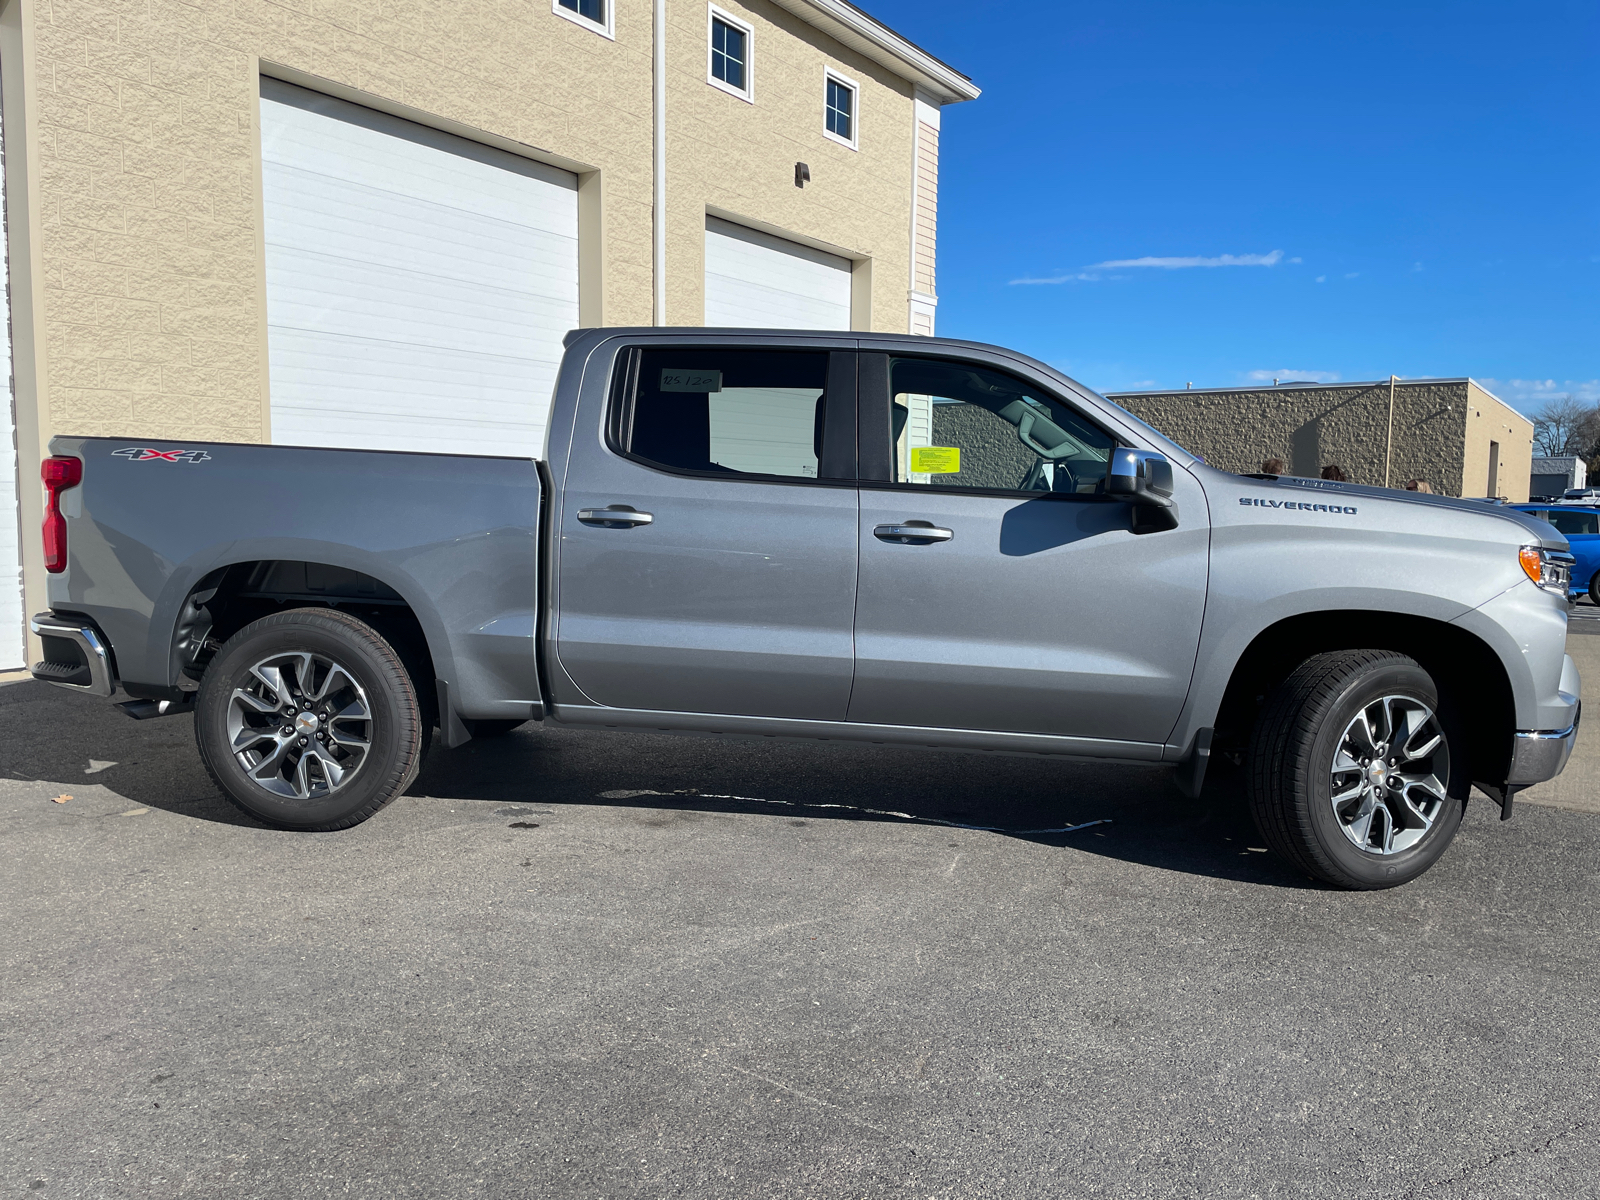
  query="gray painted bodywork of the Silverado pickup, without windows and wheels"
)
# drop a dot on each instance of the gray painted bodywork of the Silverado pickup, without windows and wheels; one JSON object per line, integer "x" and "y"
{"x": 1044, "y": 626}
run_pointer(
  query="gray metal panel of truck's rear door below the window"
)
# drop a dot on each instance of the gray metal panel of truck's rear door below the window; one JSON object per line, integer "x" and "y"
{"x": 738, "y": 598}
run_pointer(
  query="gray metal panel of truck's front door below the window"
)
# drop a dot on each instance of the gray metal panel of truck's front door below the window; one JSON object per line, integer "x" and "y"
{"x": 1038, "y": 617}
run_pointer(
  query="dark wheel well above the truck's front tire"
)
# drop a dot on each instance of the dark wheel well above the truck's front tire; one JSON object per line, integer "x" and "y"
{"x": 1471, "y": 679}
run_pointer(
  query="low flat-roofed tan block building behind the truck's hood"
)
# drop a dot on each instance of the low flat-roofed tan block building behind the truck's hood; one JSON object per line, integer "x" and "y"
{"x": 1452, "y": 433}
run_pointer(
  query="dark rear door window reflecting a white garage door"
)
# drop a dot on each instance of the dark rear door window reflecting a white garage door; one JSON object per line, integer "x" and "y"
{"x": 730, "y": 412}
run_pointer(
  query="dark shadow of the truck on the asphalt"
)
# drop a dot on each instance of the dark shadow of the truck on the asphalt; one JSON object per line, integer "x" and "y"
{"x": 1130, "y": 814}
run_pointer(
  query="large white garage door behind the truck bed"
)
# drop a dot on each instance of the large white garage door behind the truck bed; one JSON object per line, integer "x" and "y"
{"x": 418, "y": 284}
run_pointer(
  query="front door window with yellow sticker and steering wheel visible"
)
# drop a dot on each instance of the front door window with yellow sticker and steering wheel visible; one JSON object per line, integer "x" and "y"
{"x": 959, "y": 426}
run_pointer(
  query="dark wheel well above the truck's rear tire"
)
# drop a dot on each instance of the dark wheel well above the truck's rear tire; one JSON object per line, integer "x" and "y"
{"x": 231, "y": 598}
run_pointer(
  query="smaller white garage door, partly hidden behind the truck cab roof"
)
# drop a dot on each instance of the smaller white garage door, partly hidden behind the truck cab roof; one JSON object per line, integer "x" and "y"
{"x": 761, "y": 281}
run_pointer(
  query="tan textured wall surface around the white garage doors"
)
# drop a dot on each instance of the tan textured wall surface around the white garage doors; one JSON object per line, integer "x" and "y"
{"x": 135, "y": 177}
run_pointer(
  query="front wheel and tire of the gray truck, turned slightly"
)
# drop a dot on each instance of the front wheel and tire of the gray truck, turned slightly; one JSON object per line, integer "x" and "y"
{"x": 1388, "y": 826}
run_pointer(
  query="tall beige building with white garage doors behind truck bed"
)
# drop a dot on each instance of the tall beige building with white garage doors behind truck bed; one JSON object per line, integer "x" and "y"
{"x": 354, "y": 223}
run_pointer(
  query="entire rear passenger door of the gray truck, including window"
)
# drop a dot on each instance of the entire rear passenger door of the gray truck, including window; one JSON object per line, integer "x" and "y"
{"x": 708, "y": 556}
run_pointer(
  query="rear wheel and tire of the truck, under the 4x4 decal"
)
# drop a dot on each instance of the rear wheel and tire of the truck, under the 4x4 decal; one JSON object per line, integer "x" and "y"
{"x": 356, "y": 727}
